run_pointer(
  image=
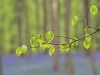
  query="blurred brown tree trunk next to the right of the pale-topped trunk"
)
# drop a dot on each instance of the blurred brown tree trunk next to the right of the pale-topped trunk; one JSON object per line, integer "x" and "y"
{"x": 69, "y": 68}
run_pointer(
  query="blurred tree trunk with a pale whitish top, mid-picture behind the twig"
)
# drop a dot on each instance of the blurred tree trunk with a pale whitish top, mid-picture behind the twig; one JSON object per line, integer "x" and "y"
{"x": 55, "y": 30}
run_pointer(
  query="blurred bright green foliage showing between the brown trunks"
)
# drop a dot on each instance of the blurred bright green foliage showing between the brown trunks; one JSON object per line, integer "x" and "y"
{"x": 9, "y": 27}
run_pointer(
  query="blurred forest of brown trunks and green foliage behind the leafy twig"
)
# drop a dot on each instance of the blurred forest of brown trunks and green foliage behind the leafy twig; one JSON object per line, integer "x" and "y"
{"x": 19, "y": 19}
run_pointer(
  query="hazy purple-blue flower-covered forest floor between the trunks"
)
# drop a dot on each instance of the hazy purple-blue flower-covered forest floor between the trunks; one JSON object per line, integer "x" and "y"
{"x": 43, "y": 64}
